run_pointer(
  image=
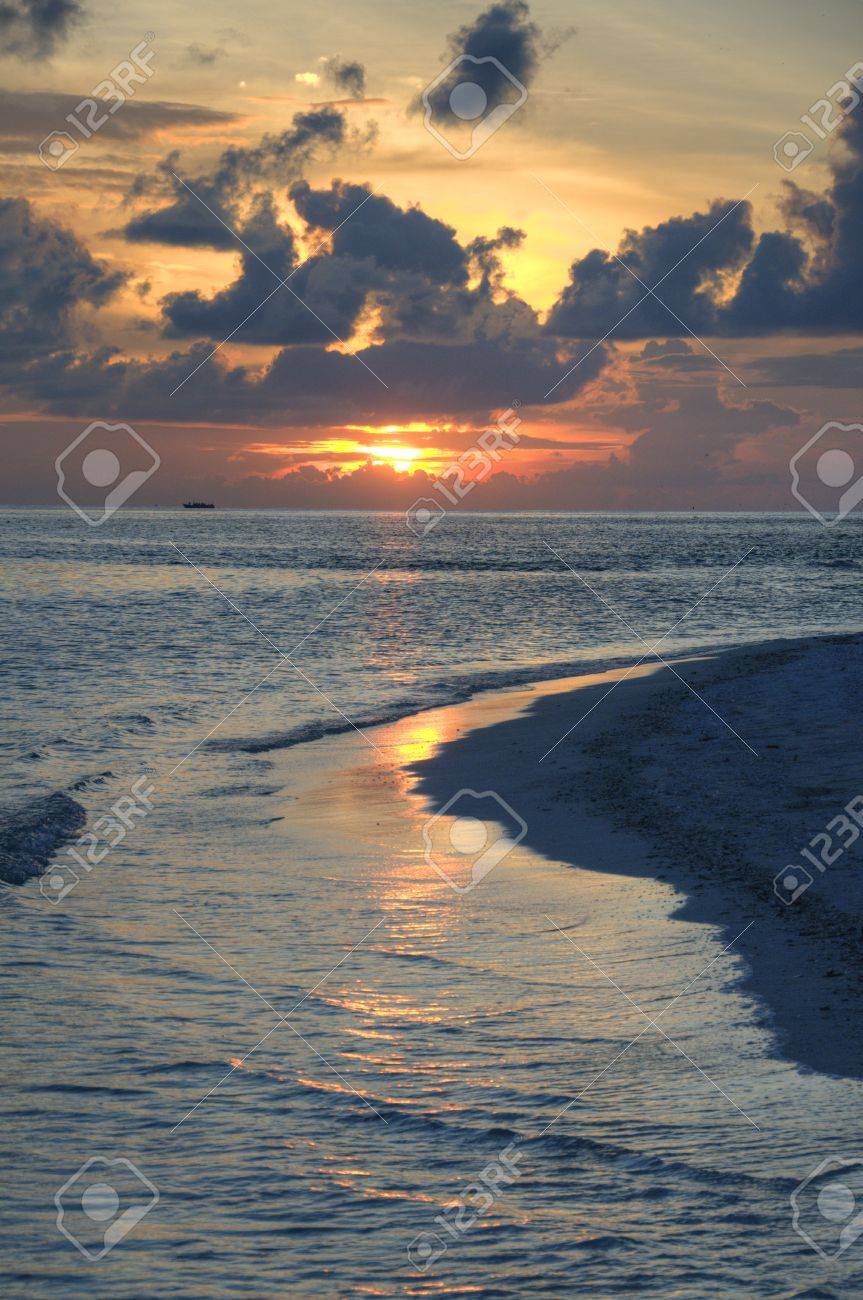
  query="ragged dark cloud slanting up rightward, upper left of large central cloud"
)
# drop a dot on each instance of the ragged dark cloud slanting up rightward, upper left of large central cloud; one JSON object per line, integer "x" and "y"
{"x": 187, "y": 222}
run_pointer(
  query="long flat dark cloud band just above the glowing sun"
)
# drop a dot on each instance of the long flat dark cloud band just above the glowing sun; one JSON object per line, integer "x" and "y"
{"x": 309, "y": 385}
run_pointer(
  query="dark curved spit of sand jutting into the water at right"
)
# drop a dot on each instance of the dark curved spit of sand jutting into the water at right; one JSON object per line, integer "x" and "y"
{"x": 652, "y": 783}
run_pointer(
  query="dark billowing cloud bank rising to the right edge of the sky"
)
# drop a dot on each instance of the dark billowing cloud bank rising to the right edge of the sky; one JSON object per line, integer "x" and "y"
{"x": 808, "y": 279}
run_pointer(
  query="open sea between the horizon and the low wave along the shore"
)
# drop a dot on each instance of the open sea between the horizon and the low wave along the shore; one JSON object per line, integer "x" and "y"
{"x": 122, "y": 653}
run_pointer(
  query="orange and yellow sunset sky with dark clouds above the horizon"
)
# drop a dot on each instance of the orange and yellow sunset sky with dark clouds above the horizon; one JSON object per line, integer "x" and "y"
{"x": 310, "y": 255}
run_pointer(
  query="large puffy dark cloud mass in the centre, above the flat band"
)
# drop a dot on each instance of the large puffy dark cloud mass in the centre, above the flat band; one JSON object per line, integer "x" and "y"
{"x": 405, "y": 265}
